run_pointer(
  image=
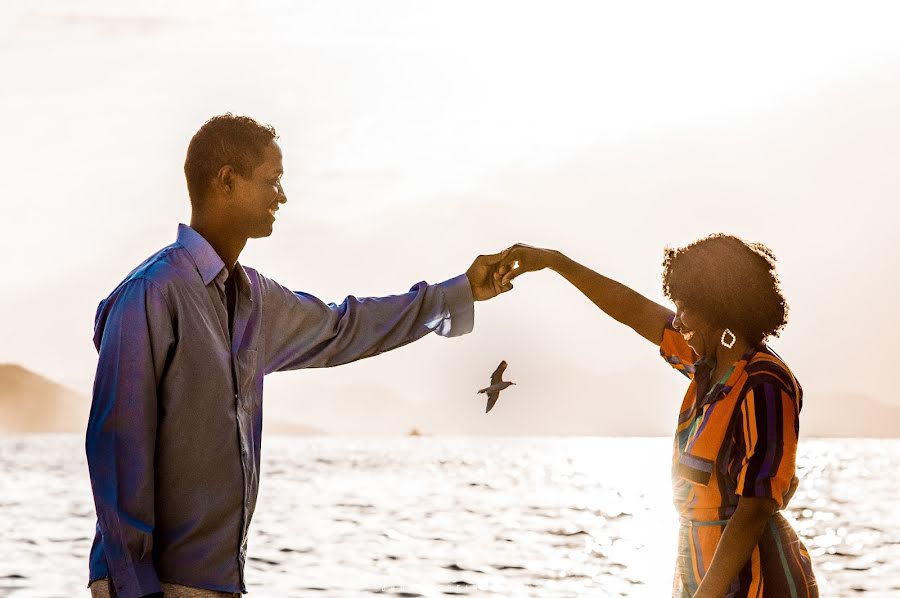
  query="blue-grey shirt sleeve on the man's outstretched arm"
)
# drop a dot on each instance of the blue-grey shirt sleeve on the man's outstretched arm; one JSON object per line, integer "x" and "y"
{"x": 302, "y": 331}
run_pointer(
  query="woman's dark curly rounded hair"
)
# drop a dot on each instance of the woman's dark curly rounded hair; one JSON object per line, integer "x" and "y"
{"x": 730, "y": 282}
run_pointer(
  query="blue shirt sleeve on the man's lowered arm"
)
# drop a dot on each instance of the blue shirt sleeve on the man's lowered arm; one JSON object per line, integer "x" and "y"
{"x": 133, "y": 336}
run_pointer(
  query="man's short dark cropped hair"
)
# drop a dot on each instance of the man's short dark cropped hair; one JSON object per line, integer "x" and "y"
{"x": 225, "y": 139}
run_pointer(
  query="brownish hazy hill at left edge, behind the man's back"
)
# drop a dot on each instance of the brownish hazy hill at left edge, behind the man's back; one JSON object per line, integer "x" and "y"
{"x": 32, "y": 404}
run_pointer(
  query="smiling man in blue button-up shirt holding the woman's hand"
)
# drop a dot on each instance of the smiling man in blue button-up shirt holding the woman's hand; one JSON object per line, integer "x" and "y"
{"x": 173, "y": 439}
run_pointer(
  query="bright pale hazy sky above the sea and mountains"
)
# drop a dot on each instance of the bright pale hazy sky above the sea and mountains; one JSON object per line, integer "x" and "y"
{"x": 417, "y": 135}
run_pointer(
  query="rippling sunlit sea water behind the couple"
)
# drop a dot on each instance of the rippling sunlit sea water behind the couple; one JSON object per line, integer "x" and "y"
{"x": 461, "y": 517}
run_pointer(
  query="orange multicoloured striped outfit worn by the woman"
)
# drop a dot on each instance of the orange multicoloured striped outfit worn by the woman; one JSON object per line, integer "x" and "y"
{"x": 738, "y": 439}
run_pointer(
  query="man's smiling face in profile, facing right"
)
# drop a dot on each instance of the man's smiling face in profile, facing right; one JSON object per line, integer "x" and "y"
{"x": 256, "y": 198}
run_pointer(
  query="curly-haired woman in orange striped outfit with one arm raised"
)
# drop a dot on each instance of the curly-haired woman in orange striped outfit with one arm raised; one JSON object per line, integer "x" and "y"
{"x": 736, "y": 438}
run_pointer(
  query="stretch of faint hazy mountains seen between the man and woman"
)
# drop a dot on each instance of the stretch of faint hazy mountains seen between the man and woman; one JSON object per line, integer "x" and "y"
{"x": 573, "y": 402}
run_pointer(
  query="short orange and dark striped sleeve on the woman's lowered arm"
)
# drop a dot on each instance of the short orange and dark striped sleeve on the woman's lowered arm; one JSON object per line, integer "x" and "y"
{"x": 768, "y": 430}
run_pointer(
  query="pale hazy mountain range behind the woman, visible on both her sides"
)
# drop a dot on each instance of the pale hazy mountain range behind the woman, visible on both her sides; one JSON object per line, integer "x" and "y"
{"x": 574, "y": 402}
